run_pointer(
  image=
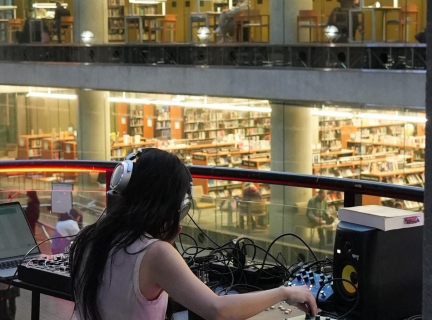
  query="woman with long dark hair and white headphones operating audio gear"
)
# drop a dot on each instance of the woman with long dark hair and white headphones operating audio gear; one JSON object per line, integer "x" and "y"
{"x": 124, "y": 266}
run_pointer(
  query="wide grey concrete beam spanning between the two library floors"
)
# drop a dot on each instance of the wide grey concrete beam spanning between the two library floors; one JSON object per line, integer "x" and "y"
{"x": 380, "y": 87}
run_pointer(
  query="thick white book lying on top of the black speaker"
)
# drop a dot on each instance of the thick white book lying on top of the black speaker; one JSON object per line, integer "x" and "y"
{"x": 380, "y": 217}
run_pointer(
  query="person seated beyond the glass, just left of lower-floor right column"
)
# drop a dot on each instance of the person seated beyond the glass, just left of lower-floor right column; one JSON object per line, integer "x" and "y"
{"x": 253, "y": 203}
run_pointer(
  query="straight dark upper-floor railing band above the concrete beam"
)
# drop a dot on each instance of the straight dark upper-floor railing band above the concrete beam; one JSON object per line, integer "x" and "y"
{"x": 385, "y": 56}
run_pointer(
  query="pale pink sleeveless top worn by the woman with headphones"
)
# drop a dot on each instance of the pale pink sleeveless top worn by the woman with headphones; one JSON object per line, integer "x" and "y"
{"x": 120, "y": 296}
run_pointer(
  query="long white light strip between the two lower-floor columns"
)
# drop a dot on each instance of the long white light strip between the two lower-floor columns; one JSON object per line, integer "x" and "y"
{"x": 204, "y": 105}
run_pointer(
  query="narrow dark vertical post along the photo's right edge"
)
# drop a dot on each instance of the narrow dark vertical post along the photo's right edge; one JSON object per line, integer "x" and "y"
{"x": 427, "y": 246}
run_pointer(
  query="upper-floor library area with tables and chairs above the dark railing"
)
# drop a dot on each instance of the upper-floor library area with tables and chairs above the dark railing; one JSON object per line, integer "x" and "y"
{"x": 186, "y": 21}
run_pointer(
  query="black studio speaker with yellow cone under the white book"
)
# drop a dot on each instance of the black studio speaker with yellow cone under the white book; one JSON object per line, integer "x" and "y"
{"x": 385, "y": 266}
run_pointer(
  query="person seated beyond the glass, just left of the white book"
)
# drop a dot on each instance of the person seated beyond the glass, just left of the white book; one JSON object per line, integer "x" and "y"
{"x": 317, "y": 213}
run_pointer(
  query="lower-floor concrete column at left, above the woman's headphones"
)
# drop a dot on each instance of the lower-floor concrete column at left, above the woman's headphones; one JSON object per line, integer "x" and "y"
{"x": 93, "y": 135}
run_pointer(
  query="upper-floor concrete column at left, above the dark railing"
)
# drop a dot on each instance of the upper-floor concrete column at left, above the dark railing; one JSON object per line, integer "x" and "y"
{"x": 91, "y": 16}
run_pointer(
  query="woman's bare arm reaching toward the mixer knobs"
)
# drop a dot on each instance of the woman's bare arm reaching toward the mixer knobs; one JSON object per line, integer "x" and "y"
{"x": 167, "y": 270}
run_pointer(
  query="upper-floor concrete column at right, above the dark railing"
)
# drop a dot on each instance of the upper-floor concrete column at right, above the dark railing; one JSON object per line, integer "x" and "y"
{"x": 283, "y": 21}
